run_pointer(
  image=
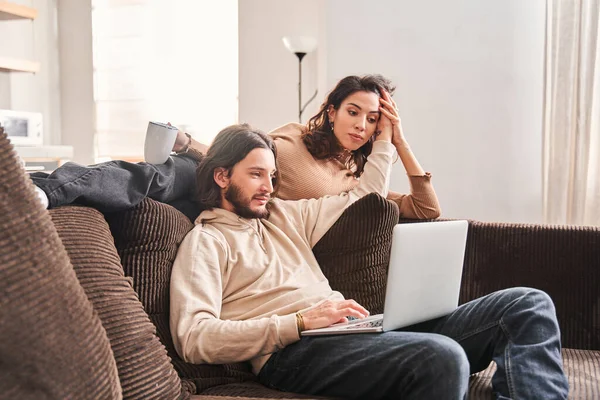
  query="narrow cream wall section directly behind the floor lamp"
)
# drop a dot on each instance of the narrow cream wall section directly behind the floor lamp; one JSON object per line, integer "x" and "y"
{"x": 268, "y": 72}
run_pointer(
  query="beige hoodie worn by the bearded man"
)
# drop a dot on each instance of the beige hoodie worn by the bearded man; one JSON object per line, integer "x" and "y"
{"x": 237, "y": 283}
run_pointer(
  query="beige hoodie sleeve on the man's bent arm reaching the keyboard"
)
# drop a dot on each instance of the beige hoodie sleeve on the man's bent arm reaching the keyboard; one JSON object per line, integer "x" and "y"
{"x": 197, "y": 282}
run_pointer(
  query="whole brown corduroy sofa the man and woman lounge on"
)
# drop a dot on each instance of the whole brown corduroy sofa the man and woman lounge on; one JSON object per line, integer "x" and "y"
{"x": 122, "y": 263}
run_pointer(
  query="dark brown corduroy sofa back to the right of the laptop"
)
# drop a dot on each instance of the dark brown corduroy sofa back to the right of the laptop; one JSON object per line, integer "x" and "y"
{"x": 563, "y": 261}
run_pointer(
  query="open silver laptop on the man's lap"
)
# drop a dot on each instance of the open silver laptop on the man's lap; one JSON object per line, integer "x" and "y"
{"x": 424, "y": 277}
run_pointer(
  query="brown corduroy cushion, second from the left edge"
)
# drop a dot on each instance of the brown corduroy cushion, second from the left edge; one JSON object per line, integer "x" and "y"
{"x": 145, "y": 371}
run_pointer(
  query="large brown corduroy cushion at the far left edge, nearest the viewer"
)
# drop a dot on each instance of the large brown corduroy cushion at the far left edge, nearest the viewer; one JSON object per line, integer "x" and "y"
{"x": 53, "y": 345}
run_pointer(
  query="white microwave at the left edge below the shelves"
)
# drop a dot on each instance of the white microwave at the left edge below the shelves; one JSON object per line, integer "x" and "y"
{"x": 23, "y": 128}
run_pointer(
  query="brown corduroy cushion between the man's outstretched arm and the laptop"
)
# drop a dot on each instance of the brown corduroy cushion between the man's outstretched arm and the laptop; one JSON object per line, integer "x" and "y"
{"x": 354, "y": 254}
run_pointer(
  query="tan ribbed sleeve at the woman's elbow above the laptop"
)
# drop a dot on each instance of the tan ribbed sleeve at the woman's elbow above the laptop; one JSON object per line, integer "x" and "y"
{"x": 421, "y": 203}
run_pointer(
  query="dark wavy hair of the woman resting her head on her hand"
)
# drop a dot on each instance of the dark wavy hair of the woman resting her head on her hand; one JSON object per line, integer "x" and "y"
{"x": 319, "y": 138}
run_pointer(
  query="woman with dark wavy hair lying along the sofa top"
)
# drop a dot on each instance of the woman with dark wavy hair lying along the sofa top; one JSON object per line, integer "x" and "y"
{"x": 324, "y": 157}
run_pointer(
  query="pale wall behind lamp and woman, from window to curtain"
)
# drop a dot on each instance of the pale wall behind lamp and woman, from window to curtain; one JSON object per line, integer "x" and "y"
{"x": 469, "y": 78}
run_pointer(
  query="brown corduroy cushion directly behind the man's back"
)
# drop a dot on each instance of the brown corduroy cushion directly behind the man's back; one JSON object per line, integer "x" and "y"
{"x": 147, "y": 238}
